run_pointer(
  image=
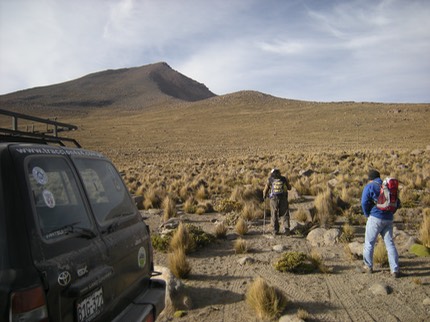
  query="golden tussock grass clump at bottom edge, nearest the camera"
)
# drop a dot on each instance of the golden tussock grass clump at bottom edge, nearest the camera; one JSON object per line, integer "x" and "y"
{"x": 267, "y": 301}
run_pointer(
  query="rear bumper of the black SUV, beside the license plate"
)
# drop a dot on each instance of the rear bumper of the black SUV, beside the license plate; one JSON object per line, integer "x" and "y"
{"x": 151, "y": 301}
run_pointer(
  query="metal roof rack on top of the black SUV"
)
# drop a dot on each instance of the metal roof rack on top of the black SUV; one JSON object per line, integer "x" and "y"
{"x": 50, "y": 135}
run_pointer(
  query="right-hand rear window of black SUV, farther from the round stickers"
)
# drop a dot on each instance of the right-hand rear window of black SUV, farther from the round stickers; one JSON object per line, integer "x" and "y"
{"x": 106, "y": 191}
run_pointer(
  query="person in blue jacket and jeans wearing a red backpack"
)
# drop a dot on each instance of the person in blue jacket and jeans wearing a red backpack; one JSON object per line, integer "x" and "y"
{"x": 379, "y": 202}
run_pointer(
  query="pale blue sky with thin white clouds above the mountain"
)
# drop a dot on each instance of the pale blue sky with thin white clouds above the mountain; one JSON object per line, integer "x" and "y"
{"x": 317, "y": 50}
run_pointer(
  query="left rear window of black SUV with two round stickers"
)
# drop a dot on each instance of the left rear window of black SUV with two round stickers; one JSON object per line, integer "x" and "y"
{"x": 56, "y": 196}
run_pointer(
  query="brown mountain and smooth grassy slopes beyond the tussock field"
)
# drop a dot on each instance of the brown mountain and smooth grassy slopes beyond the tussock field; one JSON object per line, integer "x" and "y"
{"x": 155, "y": 110}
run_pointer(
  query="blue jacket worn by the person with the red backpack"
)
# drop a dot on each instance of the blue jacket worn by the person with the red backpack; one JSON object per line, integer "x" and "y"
{"x": 369, "y": 199}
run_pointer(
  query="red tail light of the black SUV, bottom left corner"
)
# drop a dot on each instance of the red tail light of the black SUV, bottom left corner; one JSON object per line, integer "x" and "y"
{"x": 28, "y": 305}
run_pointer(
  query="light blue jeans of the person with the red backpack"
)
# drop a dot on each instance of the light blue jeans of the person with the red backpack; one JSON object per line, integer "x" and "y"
{"x": 374, "y": 227}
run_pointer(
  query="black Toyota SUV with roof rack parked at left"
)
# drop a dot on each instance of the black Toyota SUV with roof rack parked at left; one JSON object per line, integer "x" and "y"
{"x": 73, "y": 245}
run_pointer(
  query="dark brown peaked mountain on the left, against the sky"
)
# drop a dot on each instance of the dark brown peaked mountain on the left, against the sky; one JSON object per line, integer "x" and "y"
{"x": 133, "y": 88}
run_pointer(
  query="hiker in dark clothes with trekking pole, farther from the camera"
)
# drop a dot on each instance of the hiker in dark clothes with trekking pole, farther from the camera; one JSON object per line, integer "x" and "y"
{"x": 276, "y": 189}
